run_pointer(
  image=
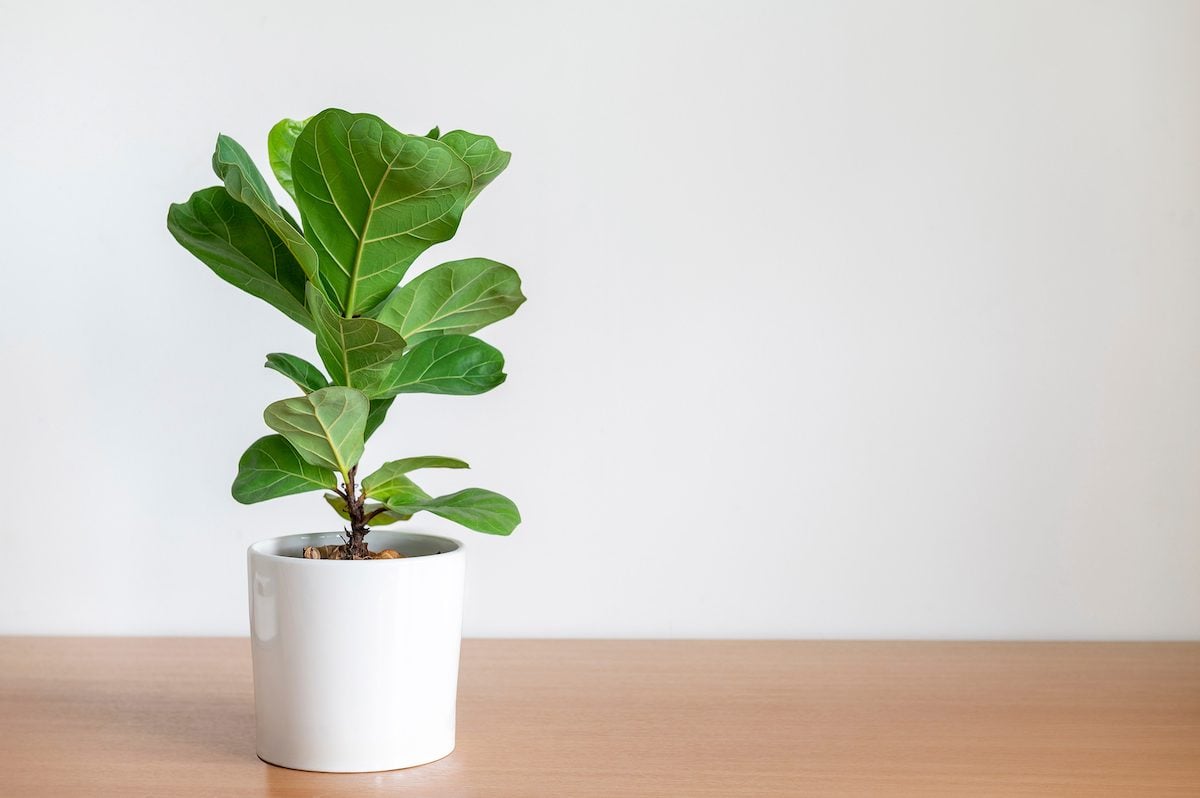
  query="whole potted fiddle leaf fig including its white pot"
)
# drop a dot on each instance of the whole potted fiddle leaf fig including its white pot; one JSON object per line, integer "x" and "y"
{"x": 356, "y": 647}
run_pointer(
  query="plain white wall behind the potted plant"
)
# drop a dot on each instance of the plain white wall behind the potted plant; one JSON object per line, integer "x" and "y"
{"x": 866, "y": 320}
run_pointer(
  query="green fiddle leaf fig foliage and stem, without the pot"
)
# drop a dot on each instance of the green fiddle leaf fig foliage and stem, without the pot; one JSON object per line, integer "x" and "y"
{"x": 371, "y": 201}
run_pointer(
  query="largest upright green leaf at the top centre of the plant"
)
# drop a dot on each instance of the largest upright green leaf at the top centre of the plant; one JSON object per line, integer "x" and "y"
{"x": 373, "y": 200}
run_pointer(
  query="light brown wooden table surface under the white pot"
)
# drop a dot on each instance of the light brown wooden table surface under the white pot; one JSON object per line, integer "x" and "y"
{"x": 175, "y": 717}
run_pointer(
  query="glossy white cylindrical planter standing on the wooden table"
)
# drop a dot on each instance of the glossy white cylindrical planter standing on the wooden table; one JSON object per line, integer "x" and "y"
{"x": 356, "y": 663}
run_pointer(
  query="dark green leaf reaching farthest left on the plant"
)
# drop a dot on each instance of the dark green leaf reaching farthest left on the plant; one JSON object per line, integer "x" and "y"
{"x": 241, "y": 249}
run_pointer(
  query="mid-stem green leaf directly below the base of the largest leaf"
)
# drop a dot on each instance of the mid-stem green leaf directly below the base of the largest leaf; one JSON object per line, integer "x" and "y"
{"x": 357, "y": 352}
